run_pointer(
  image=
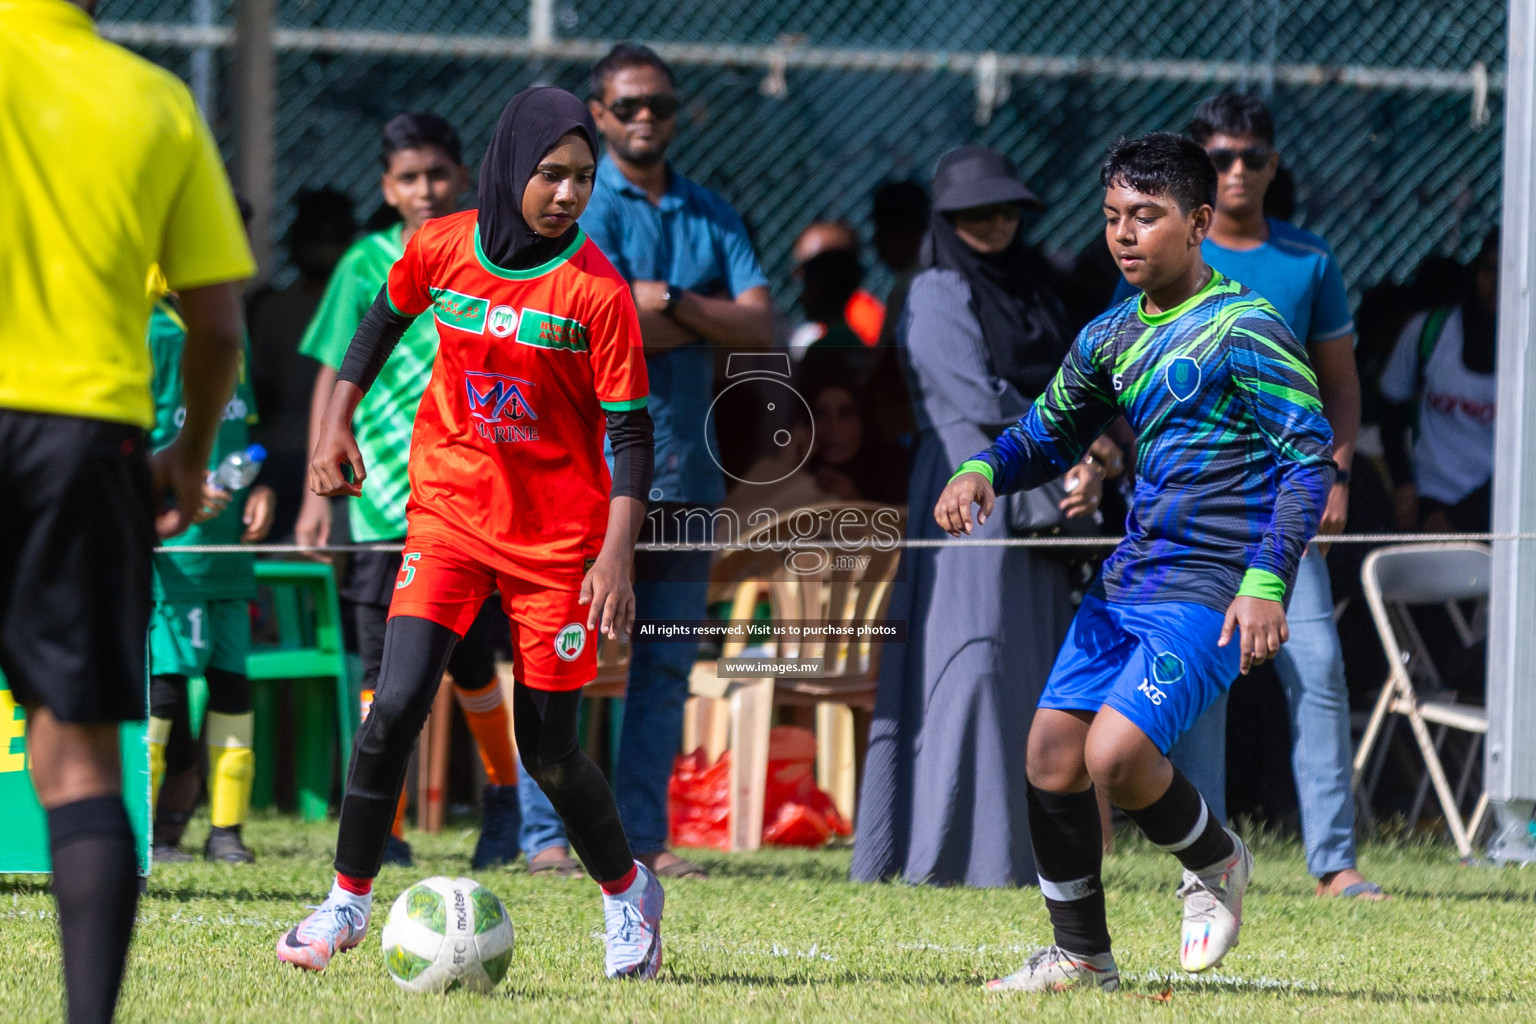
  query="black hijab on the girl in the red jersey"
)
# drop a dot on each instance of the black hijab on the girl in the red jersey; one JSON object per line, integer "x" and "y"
{"x": 532, "y": 124}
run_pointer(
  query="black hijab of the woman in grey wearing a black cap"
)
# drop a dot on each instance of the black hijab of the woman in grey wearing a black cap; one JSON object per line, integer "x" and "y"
{"x": 1022, "y": 320}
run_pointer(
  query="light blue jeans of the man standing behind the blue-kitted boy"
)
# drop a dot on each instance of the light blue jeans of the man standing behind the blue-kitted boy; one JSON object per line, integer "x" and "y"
{"x": 1311, "y": 670}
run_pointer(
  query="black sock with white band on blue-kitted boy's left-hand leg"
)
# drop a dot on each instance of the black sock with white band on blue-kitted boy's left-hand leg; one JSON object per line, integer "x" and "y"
{"x": 1070, "y": 851}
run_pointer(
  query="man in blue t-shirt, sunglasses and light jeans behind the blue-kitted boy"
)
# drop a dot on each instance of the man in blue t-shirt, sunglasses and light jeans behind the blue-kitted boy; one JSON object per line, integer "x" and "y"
{"x": 1297, "y": 274}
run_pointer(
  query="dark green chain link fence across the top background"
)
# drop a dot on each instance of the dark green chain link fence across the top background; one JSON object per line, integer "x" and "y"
{"x": 1389, "y": 111}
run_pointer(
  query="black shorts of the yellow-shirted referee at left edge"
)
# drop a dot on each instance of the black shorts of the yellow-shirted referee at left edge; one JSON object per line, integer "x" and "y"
{"x": 76, "y": 537}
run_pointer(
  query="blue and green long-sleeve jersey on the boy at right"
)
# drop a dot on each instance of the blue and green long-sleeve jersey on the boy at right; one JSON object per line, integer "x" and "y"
{"x": 1234, "y": 457}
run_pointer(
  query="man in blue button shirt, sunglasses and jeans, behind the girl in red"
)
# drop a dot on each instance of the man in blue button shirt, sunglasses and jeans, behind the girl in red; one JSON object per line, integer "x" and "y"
{"x": 698, "y": 286}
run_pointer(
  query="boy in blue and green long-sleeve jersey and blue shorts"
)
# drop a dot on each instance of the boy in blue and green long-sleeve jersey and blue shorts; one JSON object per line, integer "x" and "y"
{"x": 1234, "y": 475}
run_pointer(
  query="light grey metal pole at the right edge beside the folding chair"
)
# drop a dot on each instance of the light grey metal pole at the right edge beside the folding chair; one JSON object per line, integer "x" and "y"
{"x": 1511, "y": 762}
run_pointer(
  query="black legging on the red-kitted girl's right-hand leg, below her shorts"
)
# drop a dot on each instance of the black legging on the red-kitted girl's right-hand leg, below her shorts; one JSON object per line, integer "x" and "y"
{"x": 546, "y": 727}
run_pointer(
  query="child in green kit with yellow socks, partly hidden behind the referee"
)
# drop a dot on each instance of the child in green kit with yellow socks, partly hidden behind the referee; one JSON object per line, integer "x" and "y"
{"x": 202, "y": 623}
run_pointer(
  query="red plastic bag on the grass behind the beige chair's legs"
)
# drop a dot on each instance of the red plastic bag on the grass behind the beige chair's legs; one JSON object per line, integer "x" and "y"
{"x": 795, "y": 811}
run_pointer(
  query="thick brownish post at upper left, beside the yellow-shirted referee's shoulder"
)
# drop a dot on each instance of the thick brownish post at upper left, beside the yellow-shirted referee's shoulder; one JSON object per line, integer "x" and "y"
{"x": 256, "y": 90}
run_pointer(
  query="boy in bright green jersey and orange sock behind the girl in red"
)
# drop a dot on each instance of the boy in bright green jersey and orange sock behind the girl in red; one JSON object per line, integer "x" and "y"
{"x": 423, "y": 177}
